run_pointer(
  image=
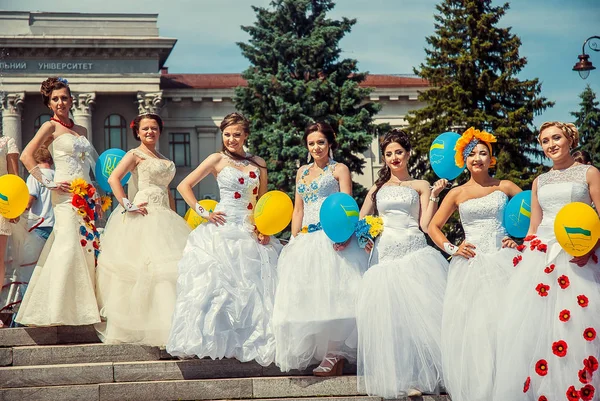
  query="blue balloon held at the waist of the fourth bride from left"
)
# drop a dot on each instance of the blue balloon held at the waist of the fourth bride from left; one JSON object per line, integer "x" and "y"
{"x": 339, "y": 214}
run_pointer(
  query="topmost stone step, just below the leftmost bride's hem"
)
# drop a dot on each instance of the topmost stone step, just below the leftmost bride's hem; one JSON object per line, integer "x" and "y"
{"x": 47, "y": 335}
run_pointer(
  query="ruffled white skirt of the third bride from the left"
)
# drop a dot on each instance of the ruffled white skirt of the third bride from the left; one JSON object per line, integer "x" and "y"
{"x": 225, "y": 294}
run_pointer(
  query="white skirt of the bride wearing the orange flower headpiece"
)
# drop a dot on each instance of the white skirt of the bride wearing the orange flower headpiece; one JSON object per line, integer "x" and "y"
{"x": 472, "y": 307}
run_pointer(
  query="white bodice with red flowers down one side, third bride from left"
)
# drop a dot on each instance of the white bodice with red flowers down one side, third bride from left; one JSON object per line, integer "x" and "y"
{"x": 238, "y": 192}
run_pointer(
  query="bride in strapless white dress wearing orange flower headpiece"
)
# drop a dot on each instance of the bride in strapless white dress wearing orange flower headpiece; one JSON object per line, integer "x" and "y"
{"x": 479, "y": 271}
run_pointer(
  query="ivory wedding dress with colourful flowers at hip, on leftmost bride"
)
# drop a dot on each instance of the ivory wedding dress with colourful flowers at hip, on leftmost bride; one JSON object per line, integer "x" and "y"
{"x": 62, "y": 288}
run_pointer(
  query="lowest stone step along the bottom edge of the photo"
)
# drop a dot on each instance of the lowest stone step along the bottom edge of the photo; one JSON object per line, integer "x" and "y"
{"x": 257, "y": 389}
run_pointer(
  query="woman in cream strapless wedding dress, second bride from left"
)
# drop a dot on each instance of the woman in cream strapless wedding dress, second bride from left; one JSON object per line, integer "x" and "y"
{"x": 141, "y": 245}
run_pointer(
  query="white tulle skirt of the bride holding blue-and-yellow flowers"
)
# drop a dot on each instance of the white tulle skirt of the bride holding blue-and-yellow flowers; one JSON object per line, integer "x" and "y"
{"x": 399, "y": 316}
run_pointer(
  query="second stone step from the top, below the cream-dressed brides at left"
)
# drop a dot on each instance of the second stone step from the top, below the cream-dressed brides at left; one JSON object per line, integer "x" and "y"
{"x": 82, "y": 353}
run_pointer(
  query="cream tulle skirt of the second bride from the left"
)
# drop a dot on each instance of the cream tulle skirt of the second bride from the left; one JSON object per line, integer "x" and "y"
{"x": 137, "y": 274}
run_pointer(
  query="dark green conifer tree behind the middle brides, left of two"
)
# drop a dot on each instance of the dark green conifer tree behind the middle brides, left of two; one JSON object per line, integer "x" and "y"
{"x": 297, "y": 77}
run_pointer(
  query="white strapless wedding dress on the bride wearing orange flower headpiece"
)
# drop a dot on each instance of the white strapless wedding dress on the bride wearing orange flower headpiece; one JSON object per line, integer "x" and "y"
{"x": 474, "y": 296}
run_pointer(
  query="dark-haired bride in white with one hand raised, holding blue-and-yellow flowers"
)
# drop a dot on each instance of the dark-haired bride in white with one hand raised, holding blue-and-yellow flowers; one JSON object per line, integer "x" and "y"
{"x": 399, "y": 307}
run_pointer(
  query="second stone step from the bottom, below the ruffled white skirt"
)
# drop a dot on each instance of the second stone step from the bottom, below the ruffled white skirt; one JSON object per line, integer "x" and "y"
{"x": 162, "y": 370}
